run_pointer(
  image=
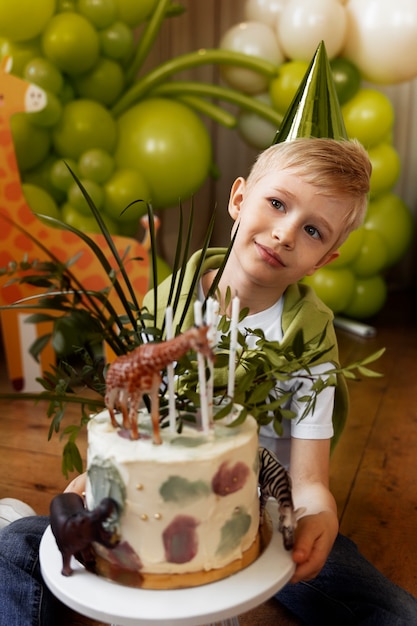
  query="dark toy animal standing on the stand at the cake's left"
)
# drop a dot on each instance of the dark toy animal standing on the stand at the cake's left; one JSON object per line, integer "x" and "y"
{"x": 75, "y": 528}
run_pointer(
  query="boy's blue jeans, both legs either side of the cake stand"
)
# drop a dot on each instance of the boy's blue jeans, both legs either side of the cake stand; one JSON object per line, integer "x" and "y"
{"x": 348, "y": 591}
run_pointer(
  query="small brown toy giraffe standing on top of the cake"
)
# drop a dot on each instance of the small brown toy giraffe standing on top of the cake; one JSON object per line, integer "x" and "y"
{"x": 131, "y": 375}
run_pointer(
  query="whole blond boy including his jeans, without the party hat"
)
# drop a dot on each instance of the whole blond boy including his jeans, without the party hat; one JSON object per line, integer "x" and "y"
{"x": 298, "y": 205}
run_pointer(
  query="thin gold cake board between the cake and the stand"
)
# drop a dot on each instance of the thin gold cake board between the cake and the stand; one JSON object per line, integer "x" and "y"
{"x": 104, "y": 566}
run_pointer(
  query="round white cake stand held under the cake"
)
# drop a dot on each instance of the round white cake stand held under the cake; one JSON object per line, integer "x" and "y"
{"x": 217, "y": 602}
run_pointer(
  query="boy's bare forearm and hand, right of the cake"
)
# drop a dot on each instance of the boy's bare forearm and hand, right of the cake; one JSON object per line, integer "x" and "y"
{"x": 317, "y": 529}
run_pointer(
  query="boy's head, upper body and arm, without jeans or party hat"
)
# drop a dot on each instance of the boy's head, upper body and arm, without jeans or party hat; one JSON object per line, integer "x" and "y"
{"x": 299, "y": 203}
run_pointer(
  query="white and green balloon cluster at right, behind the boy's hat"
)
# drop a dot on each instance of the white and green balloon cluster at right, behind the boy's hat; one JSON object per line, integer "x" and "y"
{"x": 367, "y": 40}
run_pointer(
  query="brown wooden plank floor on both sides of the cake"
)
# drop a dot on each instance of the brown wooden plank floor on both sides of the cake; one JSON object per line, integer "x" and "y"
{"x": 373, "y": 470}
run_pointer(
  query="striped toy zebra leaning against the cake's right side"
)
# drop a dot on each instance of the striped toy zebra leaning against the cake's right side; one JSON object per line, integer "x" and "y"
{"x": 275, "y": 482}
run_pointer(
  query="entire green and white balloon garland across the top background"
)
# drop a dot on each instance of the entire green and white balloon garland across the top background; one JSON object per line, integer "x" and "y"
{"x": 110, "y": 119}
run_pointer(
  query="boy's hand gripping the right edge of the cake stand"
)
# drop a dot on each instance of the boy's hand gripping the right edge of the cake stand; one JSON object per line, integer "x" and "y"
{"x": 314, "y": 538}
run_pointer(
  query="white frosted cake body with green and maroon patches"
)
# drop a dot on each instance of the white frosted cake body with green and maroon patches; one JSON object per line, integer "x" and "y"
{"x": 169, "y": 492}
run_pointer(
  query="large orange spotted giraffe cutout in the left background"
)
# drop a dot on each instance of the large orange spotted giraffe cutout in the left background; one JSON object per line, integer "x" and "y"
{"x": 17, "y": 95}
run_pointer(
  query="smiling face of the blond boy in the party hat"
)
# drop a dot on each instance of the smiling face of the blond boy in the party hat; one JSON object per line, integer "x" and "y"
{"x": 287, "y": 230}
